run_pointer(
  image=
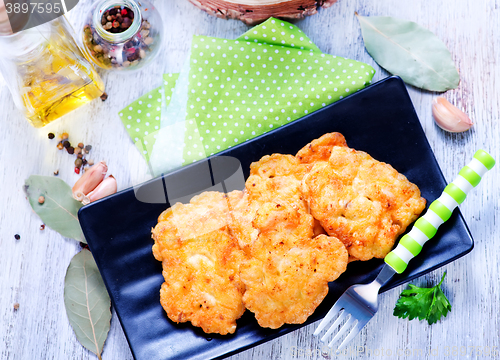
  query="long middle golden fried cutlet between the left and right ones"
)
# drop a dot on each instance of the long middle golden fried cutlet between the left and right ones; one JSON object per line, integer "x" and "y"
{"x": 286, "y": 276}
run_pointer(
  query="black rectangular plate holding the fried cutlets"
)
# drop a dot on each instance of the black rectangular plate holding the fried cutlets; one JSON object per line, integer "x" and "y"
{"x": 380, "y": 120}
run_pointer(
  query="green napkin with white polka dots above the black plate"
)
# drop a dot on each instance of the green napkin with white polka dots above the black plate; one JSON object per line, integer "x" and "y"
{"x": 230, "y": 91}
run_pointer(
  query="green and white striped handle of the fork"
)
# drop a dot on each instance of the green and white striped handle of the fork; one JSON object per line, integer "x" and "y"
{"x": 439, "y": 211}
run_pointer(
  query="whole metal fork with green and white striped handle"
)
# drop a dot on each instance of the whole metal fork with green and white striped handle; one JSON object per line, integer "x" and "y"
{"x": 361, "y": 301}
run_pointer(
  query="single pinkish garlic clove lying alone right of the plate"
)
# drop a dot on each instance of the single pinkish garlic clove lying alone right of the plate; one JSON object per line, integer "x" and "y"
{"x": 449, "y": 117}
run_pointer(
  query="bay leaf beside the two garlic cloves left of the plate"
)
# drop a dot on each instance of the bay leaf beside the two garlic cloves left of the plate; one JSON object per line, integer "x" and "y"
{"x": 59, "y": 210}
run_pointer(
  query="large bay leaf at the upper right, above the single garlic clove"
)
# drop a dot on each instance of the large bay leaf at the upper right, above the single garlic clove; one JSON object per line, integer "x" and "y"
{"x": 410, "y": 51}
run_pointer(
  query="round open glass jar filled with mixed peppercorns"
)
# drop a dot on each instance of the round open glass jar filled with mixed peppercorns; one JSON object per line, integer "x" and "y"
{"x": 123, "y": 34}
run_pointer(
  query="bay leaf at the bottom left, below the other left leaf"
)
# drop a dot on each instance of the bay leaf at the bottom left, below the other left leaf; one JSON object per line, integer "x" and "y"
{"x": 87, "y": 302}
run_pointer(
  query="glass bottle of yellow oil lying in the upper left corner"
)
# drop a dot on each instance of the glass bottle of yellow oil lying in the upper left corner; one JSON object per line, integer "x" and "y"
{"x": 46, "y": 72}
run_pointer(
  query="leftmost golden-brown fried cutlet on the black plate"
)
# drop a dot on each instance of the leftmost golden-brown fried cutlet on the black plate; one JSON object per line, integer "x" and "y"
{"x": 200, "y": 262}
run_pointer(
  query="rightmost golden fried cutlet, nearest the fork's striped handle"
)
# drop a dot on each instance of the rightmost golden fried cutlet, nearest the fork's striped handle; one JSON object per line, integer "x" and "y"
{"x": 365, "y": 203}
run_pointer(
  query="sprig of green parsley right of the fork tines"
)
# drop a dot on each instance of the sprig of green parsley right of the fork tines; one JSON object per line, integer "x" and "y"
{"x": 423, "y": 303}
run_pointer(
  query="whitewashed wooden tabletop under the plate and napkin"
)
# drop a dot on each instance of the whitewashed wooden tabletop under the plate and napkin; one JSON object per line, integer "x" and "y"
{"x": 33, "y": 268}
